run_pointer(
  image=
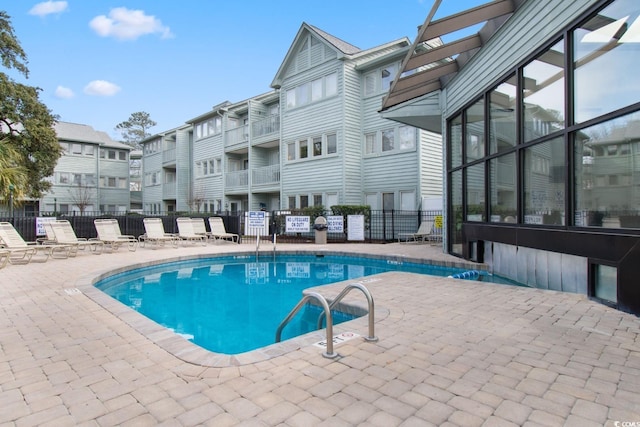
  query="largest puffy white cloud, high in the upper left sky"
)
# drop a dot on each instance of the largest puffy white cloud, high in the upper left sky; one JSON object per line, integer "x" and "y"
{"x": 125, "y": 24}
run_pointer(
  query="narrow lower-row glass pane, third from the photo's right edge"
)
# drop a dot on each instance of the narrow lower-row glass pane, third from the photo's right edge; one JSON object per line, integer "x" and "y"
{"x": 502, "y": 185}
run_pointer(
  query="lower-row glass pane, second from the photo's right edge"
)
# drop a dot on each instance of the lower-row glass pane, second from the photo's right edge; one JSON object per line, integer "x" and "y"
{"x": 544, "y": 195}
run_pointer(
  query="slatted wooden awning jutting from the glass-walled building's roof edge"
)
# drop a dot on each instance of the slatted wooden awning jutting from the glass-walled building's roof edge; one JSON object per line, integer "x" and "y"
{"x": 431, "y": 63}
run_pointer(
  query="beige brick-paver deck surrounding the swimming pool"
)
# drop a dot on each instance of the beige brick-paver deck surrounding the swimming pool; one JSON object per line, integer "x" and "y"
{"x": 450, "y": 352}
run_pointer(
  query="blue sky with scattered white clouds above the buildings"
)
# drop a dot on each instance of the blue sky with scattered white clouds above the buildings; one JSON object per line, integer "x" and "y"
{"x": 98, "y": 61}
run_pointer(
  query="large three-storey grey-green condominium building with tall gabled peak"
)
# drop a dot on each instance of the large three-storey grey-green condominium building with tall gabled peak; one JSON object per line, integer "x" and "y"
{"x": 316, "y": 138}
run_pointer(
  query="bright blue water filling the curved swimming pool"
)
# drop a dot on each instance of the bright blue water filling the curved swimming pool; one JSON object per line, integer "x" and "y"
{"x": 234, "y": 304}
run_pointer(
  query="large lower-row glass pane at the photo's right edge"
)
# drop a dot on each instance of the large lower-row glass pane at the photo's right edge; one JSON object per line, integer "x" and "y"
{"x": 607, "y": 174}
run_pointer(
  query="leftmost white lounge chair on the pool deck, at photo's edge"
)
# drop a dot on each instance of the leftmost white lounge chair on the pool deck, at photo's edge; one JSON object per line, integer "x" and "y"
{"x": 21, "y": 252}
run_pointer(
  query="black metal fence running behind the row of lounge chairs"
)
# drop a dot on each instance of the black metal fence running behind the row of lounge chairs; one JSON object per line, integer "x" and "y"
{"x": 379, "y": 226}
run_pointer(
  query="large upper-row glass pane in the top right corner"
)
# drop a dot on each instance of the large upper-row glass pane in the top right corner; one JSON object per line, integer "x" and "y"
{"x": 607, "y": 53}
